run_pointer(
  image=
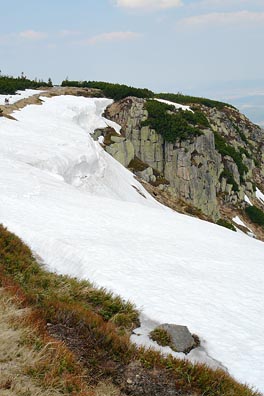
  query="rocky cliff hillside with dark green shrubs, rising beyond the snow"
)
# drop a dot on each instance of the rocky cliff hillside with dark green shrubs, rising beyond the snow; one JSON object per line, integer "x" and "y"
{"x": 215, "y": 165}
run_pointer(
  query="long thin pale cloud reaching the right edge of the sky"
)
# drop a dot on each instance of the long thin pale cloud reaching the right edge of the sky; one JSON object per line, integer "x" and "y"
{"x": 243, "y": 18}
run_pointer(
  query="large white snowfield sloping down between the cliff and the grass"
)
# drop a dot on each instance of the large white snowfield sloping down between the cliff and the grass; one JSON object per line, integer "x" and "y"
{"x": 82, "y": 213}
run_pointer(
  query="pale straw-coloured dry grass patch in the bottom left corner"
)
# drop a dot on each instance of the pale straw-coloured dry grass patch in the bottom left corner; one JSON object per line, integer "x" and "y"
{"x": 32, "y": 363}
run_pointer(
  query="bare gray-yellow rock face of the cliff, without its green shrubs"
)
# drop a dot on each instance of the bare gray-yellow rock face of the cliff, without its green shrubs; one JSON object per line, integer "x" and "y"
{"x": 195, "y": 170}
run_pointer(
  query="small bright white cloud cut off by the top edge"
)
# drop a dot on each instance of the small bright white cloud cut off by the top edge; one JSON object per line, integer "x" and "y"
{"x": 148, "y": 4}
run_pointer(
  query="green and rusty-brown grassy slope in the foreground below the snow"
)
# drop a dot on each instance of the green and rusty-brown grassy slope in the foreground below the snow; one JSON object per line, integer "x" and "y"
{"x": 94, "y": 325}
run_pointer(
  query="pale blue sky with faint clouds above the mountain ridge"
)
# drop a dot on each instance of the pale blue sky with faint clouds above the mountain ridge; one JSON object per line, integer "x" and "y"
{"x": 194, "y": 46}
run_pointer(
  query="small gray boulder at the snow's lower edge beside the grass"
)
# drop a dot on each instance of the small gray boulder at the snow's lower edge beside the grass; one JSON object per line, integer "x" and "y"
{"x": 181, "y": 337}
